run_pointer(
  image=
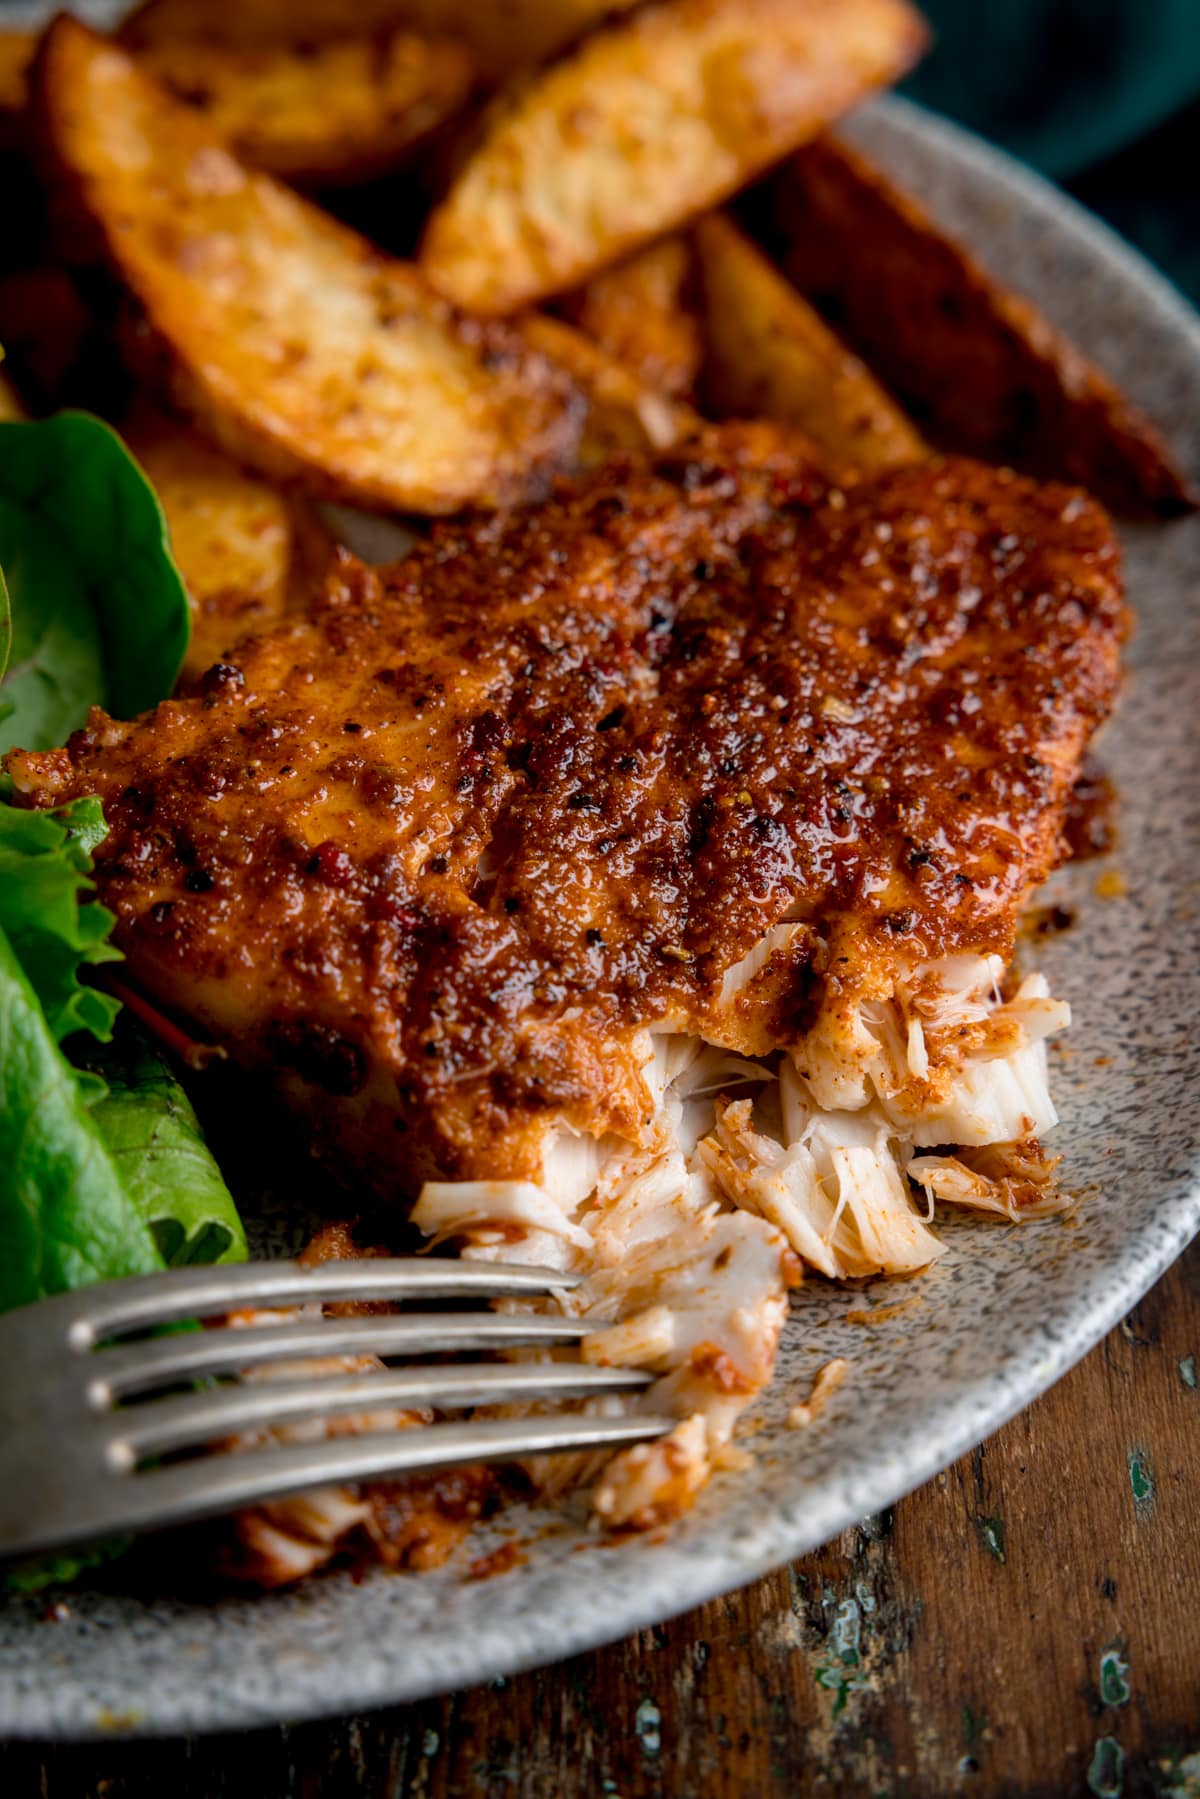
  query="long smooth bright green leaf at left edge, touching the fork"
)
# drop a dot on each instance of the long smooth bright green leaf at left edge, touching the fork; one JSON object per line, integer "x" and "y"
{"x": 67, "y": 1219}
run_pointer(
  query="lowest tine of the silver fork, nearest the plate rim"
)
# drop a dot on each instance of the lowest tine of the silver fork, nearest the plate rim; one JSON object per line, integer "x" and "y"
{"x": 226, "y": 1483}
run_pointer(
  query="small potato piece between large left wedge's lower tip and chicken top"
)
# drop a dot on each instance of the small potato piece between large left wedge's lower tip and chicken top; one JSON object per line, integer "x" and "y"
{"x": 622, "y": 411}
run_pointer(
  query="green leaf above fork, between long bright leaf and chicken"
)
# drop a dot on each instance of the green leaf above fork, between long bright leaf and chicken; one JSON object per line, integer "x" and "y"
{"x": 156, "y": 1145}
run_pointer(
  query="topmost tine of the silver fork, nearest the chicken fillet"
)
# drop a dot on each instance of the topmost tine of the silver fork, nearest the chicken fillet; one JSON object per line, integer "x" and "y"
{"x": 134, "y": 1305}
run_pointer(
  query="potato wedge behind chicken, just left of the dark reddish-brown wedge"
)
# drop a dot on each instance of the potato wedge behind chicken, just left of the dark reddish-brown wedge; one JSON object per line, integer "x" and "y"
{"x": 771, "y": 357}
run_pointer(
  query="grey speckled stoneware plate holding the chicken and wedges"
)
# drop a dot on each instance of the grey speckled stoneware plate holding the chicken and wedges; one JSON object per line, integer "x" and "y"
{"x": 1005, "y": 1314}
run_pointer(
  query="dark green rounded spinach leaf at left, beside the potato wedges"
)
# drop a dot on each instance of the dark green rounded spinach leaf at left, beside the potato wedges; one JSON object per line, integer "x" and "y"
{"x": 100, "y": 613}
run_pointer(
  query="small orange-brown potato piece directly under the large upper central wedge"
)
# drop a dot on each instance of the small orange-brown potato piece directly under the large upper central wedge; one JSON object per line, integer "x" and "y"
{"x": 640, "y": 312}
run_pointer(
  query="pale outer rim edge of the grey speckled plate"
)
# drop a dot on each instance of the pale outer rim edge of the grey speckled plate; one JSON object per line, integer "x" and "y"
{"x": 956, "y": 1428}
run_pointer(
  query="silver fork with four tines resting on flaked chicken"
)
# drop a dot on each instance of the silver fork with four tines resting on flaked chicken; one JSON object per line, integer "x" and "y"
{"x": 82, "y": 1431}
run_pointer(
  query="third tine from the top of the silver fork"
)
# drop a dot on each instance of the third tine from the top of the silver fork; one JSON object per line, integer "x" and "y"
{"x": 165, "y": 1426}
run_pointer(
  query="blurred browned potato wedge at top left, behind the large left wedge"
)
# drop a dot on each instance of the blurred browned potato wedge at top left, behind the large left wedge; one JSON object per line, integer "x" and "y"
{"x": 336, "y": 112}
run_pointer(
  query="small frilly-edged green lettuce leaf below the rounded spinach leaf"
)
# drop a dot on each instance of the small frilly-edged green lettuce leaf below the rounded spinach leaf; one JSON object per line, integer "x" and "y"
{"x": 44, "y": 868}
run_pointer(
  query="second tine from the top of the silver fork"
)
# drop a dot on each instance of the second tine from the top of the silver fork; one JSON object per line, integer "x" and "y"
{"x": 166, "y": 1361}
